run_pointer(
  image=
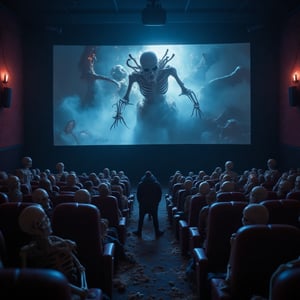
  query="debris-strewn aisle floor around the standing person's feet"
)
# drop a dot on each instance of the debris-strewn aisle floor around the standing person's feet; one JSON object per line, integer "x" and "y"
{"x": 159, "y": 269}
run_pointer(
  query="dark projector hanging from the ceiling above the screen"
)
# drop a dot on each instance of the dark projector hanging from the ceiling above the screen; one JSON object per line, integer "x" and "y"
{"x": 153, "y": 14}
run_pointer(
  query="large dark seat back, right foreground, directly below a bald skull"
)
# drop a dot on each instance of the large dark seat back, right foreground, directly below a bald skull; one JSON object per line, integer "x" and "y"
{"x": 257, "y": 252}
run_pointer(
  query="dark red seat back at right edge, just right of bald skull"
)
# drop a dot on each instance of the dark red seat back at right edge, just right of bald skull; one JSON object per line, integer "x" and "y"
{"x": 283, "y": 211}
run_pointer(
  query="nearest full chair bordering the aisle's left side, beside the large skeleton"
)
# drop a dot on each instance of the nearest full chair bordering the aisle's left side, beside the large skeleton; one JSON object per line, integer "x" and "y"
{"x": 80, "y": 222}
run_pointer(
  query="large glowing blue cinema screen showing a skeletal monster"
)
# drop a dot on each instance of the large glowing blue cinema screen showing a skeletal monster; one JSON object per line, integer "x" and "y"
{"x": 151, "y": 94}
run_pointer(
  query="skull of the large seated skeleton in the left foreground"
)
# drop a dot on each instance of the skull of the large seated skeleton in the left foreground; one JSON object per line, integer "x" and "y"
{"x": 34, "y": 221}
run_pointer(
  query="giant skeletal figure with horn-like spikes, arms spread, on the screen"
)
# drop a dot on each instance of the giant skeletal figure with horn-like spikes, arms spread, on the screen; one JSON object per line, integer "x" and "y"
{"x": 156, "y": 116}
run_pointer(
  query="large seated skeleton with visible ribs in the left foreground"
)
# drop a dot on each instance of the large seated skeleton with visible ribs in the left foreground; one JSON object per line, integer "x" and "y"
{"x": 50, "y": 251}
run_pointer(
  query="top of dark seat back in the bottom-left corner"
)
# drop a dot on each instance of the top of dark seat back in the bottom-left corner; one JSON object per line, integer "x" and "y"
{"x": 34, "y": 284}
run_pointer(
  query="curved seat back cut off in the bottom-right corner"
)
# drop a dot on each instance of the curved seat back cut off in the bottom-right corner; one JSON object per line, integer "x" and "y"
{"x": 285, "y": 282}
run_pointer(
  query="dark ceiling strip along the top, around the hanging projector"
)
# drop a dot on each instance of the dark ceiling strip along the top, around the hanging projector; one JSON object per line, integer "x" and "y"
{"x": 92, "y": 12}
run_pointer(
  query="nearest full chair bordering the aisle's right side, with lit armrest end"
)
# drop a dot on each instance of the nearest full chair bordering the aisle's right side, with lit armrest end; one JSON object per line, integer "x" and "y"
{"x": 224, "y": 219}
